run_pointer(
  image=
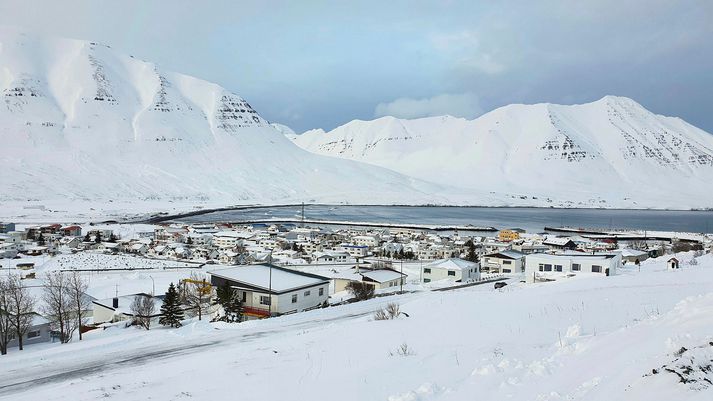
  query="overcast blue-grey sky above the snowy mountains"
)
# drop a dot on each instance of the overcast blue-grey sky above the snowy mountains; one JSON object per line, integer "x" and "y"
{"x": 312, "y": 64}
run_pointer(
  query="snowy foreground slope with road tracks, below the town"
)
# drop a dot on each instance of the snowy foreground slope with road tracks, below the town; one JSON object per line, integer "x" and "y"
{"x": 580, "y": 339}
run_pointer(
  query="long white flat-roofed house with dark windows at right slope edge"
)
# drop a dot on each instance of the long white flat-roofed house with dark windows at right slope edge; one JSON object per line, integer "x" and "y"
{"x": 544, "y": 267}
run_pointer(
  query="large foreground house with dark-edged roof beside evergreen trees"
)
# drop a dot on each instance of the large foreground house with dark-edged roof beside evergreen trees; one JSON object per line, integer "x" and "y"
{"x": 267, "y": 290}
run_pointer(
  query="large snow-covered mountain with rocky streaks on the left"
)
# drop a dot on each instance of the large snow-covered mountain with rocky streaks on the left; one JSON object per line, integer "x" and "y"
{"x": 78, "y": 121}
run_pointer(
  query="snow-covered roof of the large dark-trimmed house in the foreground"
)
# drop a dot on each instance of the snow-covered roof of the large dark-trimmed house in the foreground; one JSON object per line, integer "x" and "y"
{"x": 269, "y": 277}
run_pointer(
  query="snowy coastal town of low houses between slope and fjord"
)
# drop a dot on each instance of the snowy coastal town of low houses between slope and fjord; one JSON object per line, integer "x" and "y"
{"x": 285, "y": 268}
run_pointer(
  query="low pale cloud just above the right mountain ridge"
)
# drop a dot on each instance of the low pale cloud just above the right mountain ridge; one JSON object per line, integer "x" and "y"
{"x": 458, "y": 105}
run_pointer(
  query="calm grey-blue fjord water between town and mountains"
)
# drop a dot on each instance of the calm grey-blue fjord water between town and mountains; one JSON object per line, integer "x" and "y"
{"x": 530, "y": 219}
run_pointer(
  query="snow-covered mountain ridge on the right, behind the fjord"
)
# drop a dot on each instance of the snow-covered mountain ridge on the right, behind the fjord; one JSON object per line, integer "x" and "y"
{"x": 612, "y": 152}
